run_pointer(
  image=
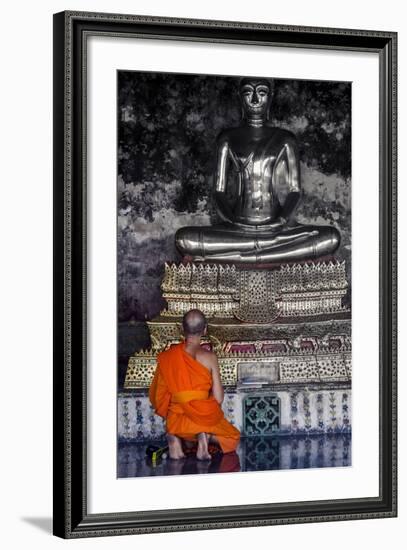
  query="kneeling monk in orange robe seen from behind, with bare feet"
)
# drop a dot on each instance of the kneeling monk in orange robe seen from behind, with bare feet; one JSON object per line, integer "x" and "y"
{"x": 188, "y": 393}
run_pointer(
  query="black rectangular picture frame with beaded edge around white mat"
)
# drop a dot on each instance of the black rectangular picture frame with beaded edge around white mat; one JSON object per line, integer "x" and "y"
{"x": 71, "y": 518}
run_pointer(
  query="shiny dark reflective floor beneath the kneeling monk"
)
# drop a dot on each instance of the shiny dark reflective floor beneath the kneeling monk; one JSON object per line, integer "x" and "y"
{"x": 253, "y": 454}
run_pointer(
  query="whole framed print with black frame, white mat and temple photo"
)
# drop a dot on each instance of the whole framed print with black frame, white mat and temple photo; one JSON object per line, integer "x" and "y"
{"x": 225, "y": 274}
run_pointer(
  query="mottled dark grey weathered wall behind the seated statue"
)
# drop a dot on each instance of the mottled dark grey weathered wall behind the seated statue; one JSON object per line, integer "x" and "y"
{"x": 167, "y": 127}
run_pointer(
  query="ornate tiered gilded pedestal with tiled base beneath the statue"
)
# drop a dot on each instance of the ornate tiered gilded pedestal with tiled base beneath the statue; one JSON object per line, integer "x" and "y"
{"x": 282, "y": 337}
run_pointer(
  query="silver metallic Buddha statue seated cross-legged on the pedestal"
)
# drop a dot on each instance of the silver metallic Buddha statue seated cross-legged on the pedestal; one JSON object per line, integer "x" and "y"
{"x": 257, "y": 205}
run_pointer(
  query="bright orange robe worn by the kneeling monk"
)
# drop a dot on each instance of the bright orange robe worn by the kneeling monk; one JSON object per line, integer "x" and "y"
{"x": 180, "y": 393}
